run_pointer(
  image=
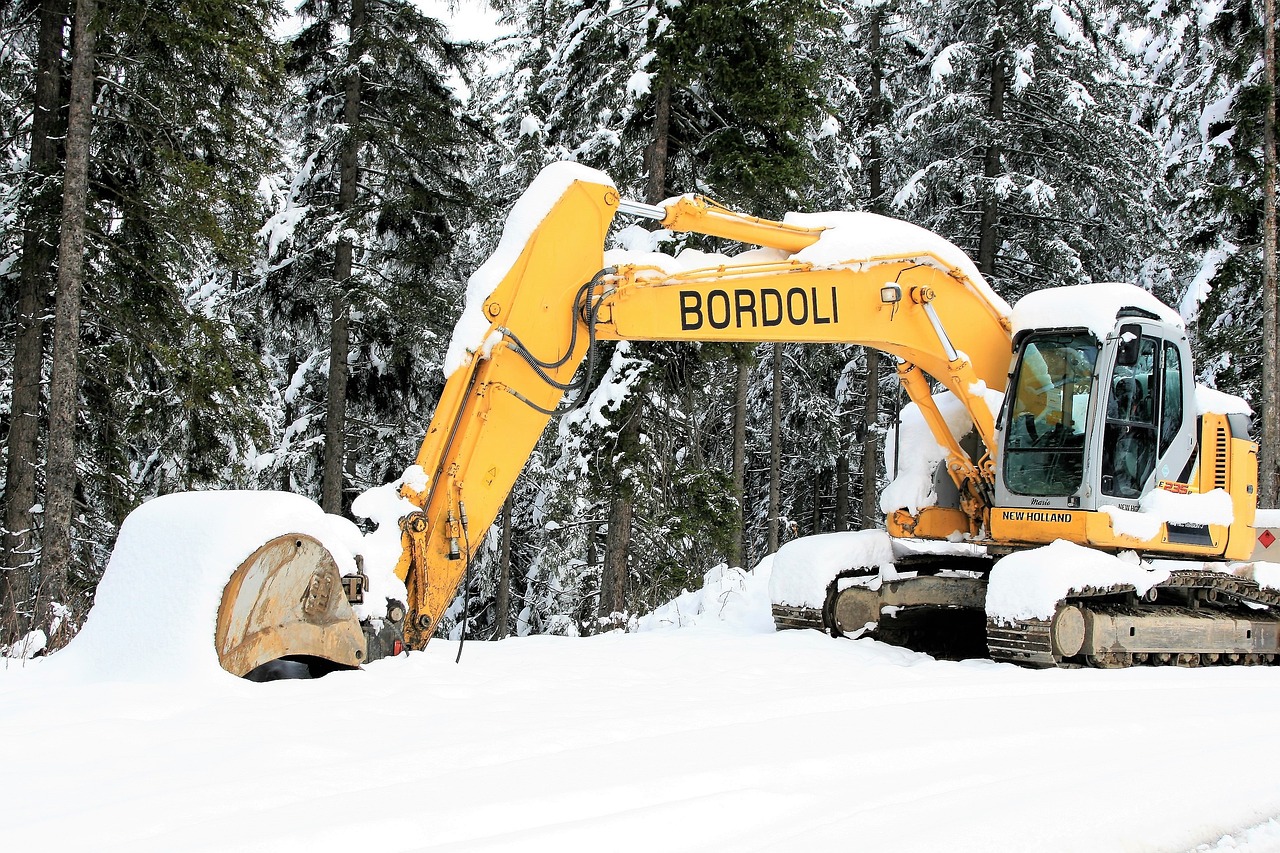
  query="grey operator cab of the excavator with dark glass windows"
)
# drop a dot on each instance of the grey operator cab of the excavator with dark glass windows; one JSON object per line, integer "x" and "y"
{"x": 1092, "y": 422}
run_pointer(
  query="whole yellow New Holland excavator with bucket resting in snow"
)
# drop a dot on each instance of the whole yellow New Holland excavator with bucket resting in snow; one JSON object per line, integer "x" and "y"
{"x": 1078, "y": 405}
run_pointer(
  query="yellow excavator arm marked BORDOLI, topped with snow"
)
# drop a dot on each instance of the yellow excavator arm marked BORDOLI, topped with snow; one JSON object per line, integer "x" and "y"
{"x": 551, "y": 299}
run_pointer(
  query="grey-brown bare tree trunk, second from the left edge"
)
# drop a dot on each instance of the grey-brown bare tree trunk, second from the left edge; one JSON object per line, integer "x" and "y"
{"x": 65, "y": 382}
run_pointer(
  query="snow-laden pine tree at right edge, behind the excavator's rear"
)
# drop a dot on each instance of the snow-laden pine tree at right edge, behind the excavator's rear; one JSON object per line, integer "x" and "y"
{"x": 1208, "y": 106}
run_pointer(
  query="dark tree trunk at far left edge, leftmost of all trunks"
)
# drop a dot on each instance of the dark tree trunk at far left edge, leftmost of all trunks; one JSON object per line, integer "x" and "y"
{"x": 34, "y": 286}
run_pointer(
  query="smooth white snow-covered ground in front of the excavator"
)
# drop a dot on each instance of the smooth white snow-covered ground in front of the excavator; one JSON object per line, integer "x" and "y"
{"x": 715, "y": 736}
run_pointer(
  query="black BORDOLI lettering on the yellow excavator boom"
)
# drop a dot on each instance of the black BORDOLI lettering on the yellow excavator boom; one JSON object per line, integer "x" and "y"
{"x": 744, "y": 311}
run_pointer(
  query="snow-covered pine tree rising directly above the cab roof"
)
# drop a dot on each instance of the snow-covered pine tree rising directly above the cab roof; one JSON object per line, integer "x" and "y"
{"x": 1026, "y": 152}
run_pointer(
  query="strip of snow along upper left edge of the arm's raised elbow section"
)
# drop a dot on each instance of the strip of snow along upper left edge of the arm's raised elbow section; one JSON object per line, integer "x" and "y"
{"x": 524, "y": 220}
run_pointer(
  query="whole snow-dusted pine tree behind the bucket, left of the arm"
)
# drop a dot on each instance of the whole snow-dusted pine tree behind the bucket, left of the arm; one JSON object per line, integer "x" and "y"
{"x": 377, "y": 191}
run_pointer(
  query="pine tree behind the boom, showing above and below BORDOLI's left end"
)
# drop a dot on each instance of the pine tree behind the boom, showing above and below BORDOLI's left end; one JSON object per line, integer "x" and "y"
{"x": 708, "y": 97}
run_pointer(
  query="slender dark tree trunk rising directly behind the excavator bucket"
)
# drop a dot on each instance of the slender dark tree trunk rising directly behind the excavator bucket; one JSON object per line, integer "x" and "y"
{"x": 340, "y": 336}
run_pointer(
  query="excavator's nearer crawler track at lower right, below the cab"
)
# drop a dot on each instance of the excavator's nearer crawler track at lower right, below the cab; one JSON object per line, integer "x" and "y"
{"x": 1195, "y": 618}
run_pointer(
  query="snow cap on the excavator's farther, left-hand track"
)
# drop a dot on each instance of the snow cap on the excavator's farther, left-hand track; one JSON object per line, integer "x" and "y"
{"x": 804, "y": 567}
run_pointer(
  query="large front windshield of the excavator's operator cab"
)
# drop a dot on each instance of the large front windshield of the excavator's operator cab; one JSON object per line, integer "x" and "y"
{"x": 1045, "y": 435}
